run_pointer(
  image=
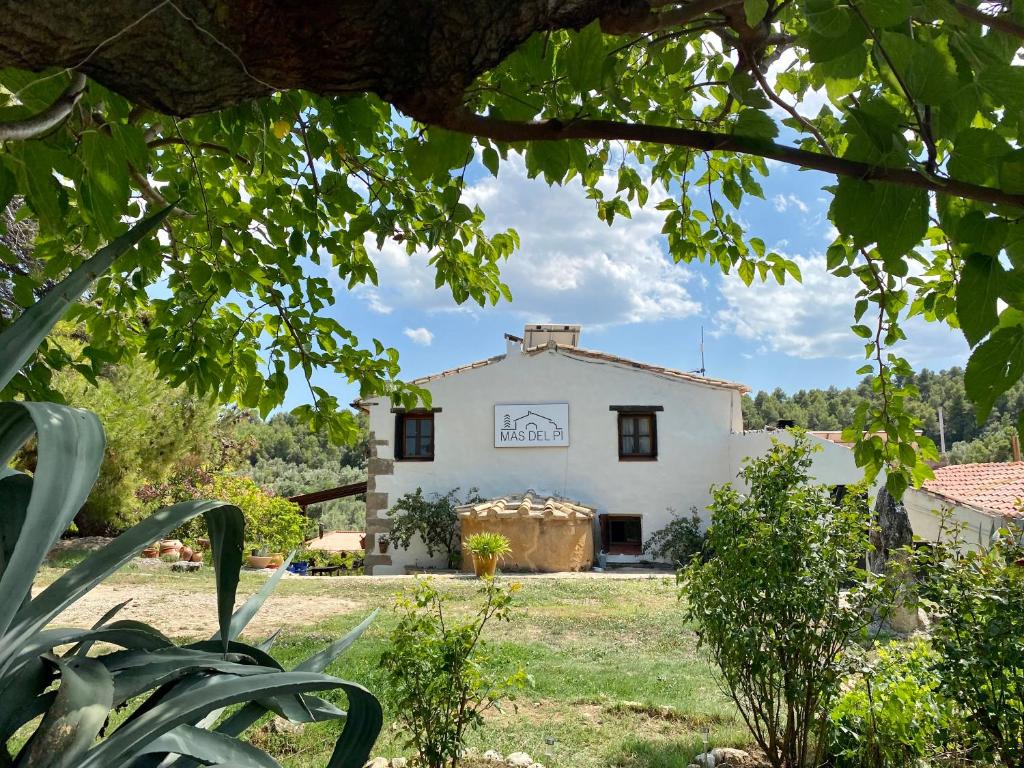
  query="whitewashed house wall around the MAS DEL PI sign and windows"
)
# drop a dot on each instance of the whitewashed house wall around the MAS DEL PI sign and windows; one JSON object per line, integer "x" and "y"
{"x": 700, "y": 442}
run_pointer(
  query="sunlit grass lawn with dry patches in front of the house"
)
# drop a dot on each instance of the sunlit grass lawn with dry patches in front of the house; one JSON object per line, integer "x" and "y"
{"x": 617, "y": 678}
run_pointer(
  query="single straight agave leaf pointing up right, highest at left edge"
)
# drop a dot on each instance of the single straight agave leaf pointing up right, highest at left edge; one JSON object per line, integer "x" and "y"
{"x": 21, "y": 340}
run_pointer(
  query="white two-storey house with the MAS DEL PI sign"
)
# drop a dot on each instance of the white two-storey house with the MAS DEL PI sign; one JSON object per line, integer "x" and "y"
{"x": 633, "y": 442}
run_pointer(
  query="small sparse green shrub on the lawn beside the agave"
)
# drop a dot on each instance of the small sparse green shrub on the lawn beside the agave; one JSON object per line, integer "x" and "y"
{"x": 437, "y": 670}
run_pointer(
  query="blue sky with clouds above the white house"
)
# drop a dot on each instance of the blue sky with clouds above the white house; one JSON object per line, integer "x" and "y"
{"x": 630, "y": 298}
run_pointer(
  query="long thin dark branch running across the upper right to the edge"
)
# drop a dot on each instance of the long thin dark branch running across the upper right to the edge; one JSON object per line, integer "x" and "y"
{"x": 608, "y": 131}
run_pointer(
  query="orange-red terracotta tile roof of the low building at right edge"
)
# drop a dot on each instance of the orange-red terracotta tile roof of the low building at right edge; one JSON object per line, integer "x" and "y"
{"x": 997, "y": 488}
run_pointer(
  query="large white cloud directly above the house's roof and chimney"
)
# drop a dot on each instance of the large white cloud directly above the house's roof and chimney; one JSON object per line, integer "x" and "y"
{"x": 572, "y": 268}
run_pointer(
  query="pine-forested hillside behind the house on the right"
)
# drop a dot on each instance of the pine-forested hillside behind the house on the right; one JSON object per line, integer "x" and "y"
{"x": 834, "y": 408}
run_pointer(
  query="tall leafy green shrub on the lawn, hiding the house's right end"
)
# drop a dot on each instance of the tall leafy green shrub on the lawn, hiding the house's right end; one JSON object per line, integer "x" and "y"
{"x": 767, "y": 604}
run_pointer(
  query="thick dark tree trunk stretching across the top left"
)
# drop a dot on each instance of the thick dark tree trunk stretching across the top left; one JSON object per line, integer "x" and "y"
{"x": 190, "y": 57}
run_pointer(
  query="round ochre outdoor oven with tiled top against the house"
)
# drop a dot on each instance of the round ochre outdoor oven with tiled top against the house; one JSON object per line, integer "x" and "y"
{"x": 546, "y": 535}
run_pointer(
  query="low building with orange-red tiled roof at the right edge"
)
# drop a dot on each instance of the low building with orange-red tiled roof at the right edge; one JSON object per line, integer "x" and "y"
{"x": 982, "y": 497}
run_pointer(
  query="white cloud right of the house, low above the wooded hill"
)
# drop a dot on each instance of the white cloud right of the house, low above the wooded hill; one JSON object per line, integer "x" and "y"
{"x": 813, "y": 320}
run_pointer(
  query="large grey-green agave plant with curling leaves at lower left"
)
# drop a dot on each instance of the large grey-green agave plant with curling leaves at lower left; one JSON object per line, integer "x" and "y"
{"x": 188, "y": 705}
